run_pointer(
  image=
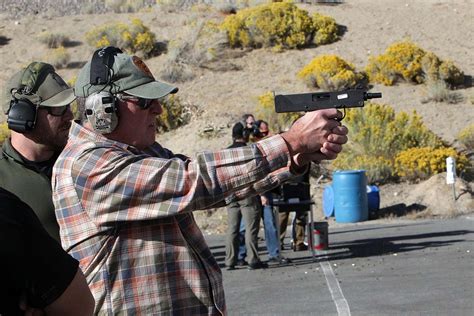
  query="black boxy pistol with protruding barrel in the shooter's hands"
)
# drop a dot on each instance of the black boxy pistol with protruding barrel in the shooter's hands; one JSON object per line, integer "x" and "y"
{"x": 323, "y": 100}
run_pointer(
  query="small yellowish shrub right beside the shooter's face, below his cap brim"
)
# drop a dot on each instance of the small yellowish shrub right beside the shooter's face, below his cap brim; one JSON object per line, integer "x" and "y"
{"x": 175, "y": 114}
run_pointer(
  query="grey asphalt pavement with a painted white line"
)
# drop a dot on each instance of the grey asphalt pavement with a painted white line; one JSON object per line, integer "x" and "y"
{"x": 401, "y": 268}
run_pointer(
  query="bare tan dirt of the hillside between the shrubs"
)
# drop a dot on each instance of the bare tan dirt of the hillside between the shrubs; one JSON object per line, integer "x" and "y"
{"x": 445, "y": 27}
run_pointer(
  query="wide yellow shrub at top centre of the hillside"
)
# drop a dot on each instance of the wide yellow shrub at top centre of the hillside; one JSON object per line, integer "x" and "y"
{"x": 276, "y": 24}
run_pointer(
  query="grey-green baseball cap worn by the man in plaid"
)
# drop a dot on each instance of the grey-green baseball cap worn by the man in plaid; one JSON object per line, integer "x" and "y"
{"x": 129, "y": 75}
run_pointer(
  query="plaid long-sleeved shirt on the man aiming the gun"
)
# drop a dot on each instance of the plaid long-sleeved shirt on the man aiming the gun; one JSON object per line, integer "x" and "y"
{"x": 126, "y": 216}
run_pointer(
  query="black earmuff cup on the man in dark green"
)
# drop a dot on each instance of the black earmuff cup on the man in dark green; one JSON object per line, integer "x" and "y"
{"x": 21, "y": 115}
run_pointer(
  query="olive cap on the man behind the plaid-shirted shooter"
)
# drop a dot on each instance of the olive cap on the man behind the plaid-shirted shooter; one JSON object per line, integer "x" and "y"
{"x": 40, "y": 84}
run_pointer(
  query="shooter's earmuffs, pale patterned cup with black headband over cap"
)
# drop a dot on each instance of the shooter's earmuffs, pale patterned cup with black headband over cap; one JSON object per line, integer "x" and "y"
{"x": 101, "y": 107}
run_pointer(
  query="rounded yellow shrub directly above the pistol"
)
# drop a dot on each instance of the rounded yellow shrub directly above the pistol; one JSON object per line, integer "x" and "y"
{"x": 330, "y": 72}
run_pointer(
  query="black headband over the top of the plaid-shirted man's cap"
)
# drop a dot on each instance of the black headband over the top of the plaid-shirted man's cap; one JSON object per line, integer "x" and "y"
{"x": 102, "y": 62}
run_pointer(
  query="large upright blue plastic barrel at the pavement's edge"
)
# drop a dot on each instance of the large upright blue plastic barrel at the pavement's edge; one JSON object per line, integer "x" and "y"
{"x": 350, "y": 196}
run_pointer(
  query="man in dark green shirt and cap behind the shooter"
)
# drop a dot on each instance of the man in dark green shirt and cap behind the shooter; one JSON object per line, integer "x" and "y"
{"x": 36, "y": 101}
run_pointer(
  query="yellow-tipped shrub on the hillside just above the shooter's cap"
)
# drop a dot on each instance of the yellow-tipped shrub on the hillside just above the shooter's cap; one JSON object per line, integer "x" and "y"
{"x": 135, "y": 38}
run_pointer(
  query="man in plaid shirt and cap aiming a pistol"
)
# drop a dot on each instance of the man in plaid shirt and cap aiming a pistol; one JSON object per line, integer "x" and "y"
{"x": 124, "y": 203}
